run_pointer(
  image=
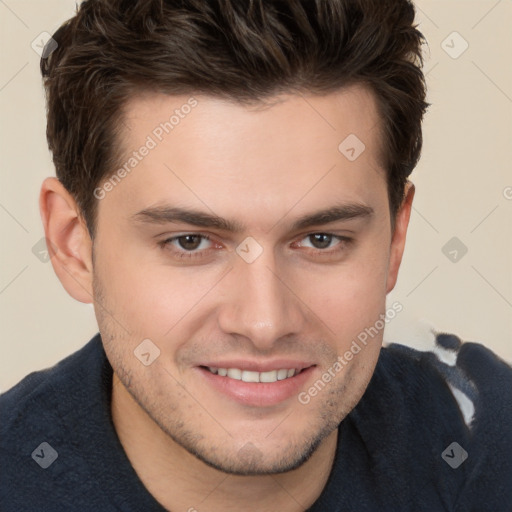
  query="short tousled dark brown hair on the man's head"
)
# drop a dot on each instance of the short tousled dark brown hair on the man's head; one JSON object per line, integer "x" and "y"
{"x": 243, "y": 50}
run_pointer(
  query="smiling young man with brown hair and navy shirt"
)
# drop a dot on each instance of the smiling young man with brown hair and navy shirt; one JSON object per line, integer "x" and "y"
{"x": 232, "y": 197}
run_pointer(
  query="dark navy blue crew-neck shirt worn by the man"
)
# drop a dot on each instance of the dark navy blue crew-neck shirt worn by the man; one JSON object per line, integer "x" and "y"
{"x": 433, "y": 432}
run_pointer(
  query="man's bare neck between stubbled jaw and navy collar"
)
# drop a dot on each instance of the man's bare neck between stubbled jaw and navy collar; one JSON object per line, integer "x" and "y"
{"x": 180, "y": 481}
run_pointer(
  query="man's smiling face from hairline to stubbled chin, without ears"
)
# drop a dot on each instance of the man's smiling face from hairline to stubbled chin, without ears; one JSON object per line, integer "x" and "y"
{"x": 210, "y": 246}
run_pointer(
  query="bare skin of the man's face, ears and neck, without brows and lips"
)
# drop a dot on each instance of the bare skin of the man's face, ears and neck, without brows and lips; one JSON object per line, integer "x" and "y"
{"x": 193, "y": 447}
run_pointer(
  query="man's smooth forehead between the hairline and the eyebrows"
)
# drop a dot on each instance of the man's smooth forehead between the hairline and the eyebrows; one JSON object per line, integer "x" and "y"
{"x": 226, "y": 157}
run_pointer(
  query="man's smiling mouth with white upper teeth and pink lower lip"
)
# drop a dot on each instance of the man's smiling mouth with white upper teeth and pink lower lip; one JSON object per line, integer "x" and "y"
{"x": 256, "y": 388}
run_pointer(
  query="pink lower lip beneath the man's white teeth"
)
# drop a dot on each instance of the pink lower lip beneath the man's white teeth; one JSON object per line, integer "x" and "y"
{"x": 258, "y": 394}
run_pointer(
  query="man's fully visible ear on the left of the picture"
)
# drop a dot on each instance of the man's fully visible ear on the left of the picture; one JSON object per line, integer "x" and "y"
{"x": 68, "y": 240}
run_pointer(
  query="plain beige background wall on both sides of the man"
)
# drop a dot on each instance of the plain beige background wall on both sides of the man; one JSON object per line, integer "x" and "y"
{"x": 464, "y": 190}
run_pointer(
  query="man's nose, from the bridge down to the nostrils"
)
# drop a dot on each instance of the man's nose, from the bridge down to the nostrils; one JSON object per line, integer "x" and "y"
{"x": 260, "y": 303}
